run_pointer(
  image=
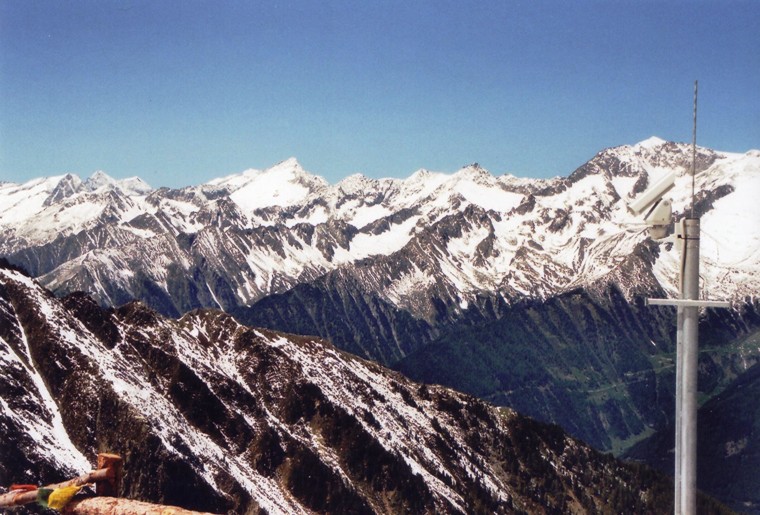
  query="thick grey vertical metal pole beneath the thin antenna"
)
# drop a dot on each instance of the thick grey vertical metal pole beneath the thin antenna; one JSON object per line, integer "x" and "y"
{"x": 690, "y": 343}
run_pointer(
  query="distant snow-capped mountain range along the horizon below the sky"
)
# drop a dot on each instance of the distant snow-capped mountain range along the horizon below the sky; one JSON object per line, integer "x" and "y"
{"x": 237, "y": 239}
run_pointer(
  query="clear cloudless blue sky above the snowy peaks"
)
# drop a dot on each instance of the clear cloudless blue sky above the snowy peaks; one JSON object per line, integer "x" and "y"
{"x": 180, "y": 92}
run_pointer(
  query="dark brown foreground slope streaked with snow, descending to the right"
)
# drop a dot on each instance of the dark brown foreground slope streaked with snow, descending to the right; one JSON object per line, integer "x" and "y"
{"x": 216, "y": 416}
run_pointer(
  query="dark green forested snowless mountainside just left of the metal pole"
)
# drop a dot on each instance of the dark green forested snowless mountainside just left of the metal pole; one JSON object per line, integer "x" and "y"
{"x": 580, "y": 361}
